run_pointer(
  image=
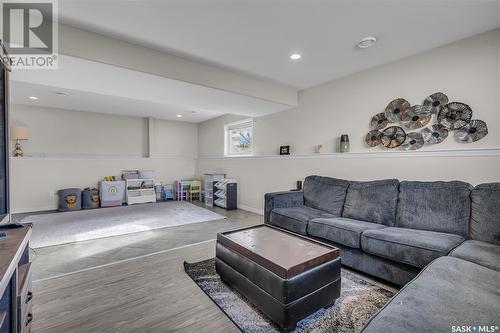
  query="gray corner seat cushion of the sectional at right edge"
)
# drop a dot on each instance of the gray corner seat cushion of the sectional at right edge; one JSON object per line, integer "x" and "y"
{"x": 481, "y": 253}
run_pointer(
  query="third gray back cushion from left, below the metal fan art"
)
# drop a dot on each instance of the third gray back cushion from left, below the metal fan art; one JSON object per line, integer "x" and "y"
{"x": 434, "y": 206}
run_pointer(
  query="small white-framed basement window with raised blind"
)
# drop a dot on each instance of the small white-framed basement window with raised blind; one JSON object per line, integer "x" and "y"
{"x": 238, "y": 138}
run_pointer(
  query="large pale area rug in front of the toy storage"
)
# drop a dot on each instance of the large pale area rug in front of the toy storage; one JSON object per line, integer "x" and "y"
{"x": 60, "y": 228}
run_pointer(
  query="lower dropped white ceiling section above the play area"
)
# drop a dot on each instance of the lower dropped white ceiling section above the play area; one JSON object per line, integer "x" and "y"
{"x": 99, "y": 88}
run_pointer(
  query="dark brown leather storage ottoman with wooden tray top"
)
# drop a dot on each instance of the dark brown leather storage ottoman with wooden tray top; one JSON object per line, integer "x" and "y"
{"x": 286, "y": 276}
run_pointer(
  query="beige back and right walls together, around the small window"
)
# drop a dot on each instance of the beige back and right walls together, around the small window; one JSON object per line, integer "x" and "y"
{"x": 72, "y": 148}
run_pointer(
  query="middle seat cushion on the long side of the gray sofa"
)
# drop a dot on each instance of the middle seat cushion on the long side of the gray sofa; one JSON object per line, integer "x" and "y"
{"x": 340, "y": 230}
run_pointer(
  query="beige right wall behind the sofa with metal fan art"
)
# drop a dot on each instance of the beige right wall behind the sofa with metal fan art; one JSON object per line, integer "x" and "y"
{"x": 467, "y": 71}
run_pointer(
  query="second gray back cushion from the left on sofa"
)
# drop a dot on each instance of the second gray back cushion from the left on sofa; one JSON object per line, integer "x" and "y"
{"x": 373, "y": 201}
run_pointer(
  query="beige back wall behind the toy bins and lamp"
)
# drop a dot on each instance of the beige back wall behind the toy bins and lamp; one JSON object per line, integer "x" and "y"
{"x": 77, "y": 149}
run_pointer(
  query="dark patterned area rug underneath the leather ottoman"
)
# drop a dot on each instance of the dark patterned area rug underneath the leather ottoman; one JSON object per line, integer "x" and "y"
{"x": 359, "y": 300}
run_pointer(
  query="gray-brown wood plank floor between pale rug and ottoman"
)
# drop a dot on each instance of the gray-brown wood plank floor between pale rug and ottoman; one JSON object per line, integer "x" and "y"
{"x": 131, "y": 283}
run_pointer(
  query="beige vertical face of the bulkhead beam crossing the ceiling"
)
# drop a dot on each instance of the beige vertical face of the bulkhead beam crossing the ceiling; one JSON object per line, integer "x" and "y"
{"x": 96, "y": 47}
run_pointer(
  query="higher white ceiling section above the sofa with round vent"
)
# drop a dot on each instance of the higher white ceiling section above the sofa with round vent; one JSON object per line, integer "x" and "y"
{"x": 257, "y": 37}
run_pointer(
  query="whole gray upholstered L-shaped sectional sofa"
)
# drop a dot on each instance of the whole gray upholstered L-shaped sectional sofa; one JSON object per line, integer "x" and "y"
{"x": 444, "y": 237}
